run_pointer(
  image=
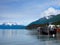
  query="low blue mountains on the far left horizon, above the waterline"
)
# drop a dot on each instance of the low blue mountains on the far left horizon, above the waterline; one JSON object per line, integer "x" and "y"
{"x": 4, "y": 26}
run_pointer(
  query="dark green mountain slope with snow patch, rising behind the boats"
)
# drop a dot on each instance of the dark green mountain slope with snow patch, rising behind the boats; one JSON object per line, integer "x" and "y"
{"x": 53, "y": 19}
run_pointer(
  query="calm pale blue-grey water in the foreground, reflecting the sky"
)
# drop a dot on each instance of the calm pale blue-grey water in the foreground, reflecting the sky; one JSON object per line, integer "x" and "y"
{"x": 25, "y": 37}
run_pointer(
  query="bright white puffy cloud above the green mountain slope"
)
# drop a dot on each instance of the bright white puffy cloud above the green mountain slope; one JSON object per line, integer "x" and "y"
{"x": 50, "y": 11}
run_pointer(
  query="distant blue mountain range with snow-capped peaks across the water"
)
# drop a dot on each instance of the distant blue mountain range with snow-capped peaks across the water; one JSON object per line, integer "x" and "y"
{"x": 11, "y": 26}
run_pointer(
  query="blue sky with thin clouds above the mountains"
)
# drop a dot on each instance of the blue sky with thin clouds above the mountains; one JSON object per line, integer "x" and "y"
{"x": 24, "y": 12}
